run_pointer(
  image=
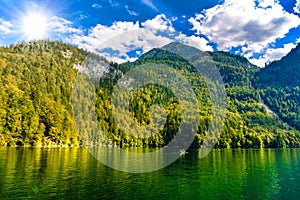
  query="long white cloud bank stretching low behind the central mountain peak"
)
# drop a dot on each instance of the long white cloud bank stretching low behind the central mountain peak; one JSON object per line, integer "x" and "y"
{"x": 117, "y": 41}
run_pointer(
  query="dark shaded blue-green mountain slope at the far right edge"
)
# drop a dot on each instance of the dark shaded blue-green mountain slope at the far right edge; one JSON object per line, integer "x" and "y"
{"x": 280, "y": 85}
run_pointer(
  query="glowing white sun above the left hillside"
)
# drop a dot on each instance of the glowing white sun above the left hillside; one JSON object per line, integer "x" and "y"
{"x": 34, "y": 26}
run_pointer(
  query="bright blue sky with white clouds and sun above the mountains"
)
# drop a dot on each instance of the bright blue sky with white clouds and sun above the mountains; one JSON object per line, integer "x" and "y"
{"x": 122, "y": 30}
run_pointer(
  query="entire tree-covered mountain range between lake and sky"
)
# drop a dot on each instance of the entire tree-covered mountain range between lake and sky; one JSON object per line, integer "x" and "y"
{"x": 36, "y": 81}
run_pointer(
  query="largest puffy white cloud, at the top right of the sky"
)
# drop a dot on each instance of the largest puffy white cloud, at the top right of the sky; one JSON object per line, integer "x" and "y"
{"x": 243, "y": 23}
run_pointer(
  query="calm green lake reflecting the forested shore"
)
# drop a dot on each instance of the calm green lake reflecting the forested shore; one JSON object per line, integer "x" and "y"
{"x": 72, "y": 173}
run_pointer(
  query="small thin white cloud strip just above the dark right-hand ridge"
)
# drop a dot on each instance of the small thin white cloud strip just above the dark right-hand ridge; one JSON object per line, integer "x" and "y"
{"x": 272, "y": 54}
